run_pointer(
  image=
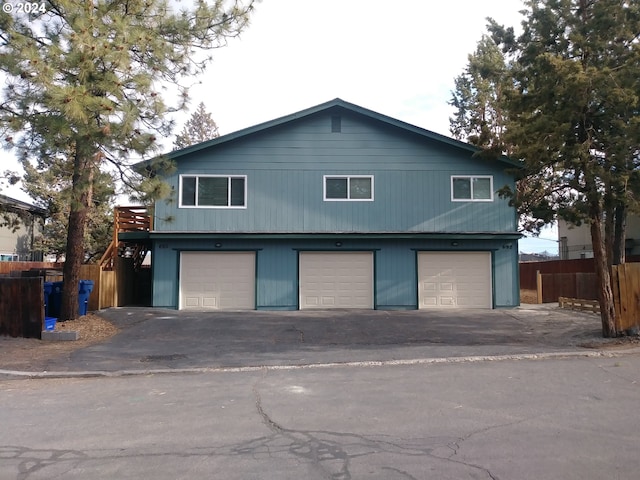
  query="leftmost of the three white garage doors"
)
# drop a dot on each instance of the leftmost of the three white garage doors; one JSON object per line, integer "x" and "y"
{"x": 217, "y": 280}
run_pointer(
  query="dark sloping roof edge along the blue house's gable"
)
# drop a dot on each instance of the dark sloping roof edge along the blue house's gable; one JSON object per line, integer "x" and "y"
{"x": 335, "y": 104}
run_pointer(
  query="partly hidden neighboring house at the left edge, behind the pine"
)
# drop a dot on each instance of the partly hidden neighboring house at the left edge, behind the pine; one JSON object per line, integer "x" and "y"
{"x": 17, "y": 244}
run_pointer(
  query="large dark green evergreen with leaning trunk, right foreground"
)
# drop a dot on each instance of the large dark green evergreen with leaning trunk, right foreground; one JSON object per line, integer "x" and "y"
{"x": 573, "y": 118}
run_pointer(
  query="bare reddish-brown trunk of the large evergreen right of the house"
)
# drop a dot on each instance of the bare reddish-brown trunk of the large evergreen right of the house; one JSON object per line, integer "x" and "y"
{"x": 603, "y": 276}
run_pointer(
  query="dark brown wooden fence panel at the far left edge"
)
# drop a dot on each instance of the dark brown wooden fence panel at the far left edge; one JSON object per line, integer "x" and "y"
{"x": 21, "y": 306}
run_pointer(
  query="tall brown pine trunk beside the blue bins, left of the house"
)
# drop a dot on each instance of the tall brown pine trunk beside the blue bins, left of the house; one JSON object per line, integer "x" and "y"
{"x": 81, "y": 200}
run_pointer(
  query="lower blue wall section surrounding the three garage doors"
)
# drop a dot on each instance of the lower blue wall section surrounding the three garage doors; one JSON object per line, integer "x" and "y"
{"x": 395, "y": 267}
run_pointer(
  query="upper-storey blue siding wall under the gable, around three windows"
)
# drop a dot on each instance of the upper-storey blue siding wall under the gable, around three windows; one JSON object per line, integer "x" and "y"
{"x": 285, "y": 168}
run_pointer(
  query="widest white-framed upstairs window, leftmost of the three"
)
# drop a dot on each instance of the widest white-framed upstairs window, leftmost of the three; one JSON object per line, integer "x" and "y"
{"x": 213, "y": 191}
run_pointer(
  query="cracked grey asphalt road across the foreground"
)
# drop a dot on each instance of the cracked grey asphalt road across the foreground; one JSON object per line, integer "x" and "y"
{"x": 564, "y": 419}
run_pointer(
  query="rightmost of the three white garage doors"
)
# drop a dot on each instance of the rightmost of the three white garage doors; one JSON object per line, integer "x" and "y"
{"x": 454, "y": 279}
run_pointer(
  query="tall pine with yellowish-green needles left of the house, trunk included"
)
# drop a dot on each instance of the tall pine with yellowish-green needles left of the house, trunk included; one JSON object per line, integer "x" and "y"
{"x": 83, "y": 83}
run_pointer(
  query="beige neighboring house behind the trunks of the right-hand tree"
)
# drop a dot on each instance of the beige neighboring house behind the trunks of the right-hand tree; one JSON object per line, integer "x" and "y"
{"x": 575, "y": 242}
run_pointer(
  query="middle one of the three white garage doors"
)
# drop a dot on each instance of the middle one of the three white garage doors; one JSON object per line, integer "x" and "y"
{"x": 336, "y": 280}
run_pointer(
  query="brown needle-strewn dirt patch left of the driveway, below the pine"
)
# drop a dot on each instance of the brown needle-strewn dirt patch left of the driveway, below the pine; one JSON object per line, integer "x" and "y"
{"x": 32, "y": 354}
